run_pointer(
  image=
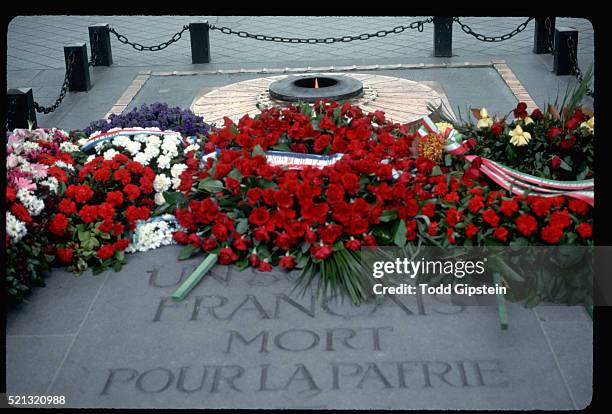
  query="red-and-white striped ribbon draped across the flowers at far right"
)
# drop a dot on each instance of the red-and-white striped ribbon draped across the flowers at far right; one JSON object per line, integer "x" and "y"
{"x": 515, "y": 181}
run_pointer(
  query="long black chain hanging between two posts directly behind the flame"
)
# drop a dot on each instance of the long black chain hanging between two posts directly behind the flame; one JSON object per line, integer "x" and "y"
{"x": 417, "y": 25}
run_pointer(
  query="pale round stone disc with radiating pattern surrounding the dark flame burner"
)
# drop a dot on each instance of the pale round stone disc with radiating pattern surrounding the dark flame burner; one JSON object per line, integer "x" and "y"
{"x": 403, "y": 100}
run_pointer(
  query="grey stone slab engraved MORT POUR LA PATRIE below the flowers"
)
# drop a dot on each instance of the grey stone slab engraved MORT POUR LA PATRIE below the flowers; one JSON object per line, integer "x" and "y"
{"x": 243, "y": 340}
